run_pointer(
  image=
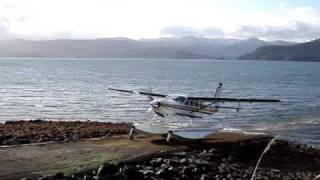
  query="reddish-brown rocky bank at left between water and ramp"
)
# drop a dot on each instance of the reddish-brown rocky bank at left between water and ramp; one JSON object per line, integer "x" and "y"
{"x": 39, "y": 131}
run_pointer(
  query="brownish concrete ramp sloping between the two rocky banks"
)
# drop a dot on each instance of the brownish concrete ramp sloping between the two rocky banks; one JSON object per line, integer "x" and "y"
{"x": 34, "y": 160}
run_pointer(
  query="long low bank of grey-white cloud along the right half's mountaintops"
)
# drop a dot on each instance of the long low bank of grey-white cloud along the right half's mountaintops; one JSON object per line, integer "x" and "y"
{"x": 293, "y": 31}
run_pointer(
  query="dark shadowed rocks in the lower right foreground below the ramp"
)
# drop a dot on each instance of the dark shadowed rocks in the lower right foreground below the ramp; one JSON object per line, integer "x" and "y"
{"x": 221, "y": 161}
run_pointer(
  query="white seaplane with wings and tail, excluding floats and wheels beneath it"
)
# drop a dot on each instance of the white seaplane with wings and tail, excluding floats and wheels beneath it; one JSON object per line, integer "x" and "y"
{"x": 194, "y": 107}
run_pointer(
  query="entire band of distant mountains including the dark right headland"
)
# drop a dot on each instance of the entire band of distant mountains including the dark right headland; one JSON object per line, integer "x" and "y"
{"x": 188, "y": 47}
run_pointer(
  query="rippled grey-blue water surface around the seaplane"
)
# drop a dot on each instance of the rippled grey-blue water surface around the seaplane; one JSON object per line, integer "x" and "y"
{"x": 76, "y": 89}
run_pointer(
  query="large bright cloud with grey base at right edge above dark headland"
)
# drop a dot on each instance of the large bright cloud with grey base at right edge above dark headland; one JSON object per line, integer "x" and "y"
{"x": 295, "y": 24}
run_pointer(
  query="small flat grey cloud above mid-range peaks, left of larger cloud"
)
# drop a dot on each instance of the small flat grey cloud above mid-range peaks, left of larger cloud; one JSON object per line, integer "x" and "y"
{"x": 180, "y": 31}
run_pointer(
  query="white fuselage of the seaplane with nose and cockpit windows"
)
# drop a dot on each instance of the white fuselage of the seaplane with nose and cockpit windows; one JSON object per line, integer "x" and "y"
{"x": 181, "y": 105}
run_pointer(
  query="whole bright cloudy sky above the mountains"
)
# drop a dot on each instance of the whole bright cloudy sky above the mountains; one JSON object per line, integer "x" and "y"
{"x": 293, "y": 20}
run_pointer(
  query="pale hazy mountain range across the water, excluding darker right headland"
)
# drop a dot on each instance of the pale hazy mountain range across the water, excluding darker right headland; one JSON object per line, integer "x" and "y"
{"x": 184, "y": 48}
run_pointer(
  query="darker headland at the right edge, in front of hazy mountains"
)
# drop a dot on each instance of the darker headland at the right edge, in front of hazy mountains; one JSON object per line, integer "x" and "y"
{"x": 309, "y": 51}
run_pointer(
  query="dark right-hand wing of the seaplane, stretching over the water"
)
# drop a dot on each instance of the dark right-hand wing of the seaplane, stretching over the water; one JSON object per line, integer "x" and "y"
{"x": 213, "y": 99}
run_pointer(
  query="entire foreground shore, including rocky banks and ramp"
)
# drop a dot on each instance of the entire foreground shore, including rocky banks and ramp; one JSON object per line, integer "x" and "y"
{"x": 103, "y": 151}
